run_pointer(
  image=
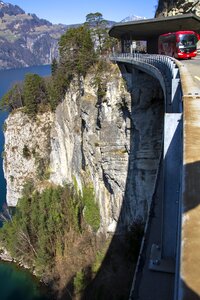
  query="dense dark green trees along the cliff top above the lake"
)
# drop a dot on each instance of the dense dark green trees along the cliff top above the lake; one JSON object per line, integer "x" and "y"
{"x": 37, "y": 94}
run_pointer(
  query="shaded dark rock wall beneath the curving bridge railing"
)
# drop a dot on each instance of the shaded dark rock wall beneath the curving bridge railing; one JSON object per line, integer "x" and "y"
{"x": 147, "y": 116}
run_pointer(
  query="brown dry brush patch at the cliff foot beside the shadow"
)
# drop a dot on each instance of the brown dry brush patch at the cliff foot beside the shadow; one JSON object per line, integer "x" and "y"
{"x": 80, "y": 252}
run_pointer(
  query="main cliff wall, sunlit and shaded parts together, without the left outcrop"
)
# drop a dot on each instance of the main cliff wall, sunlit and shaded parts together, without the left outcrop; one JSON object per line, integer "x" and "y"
{"x": 114, "y": 140}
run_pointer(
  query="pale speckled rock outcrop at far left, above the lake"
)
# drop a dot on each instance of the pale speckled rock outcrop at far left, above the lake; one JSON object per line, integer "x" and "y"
{"x": 26, "y": 151}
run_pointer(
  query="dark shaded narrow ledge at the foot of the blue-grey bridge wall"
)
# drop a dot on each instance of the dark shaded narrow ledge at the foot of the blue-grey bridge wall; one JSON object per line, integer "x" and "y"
{"x": 151, "y": 285}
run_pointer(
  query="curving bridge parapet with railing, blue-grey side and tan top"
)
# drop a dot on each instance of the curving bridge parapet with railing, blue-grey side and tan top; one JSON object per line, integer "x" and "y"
{"x": 180, "y": 168}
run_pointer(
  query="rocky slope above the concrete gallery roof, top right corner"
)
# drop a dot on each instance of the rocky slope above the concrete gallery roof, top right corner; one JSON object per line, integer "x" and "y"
{"x": 177, "y": 7}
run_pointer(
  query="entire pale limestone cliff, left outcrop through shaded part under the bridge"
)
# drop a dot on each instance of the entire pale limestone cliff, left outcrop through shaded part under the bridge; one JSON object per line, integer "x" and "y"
{"x": 111, "y": 139}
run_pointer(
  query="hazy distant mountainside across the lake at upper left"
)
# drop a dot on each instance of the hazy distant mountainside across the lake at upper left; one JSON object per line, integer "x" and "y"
{"x": 26, "y": 40}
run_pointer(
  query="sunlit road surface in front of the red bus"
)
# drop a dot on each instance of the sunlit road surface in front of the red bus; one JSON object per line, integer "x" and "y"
{"x": 193, "y": 65}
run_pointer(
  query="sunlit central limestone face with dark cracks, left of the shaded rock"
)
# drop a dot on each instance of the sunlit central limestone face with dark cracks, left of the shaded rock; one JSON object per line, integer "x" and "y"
{"x": 91, "y": 135}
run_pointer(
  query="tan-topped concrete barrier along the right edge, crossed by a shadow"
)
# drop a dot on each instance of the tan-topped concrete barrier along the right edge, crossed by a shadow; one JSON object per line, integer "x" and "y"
{"x": 189, "y": 282}
